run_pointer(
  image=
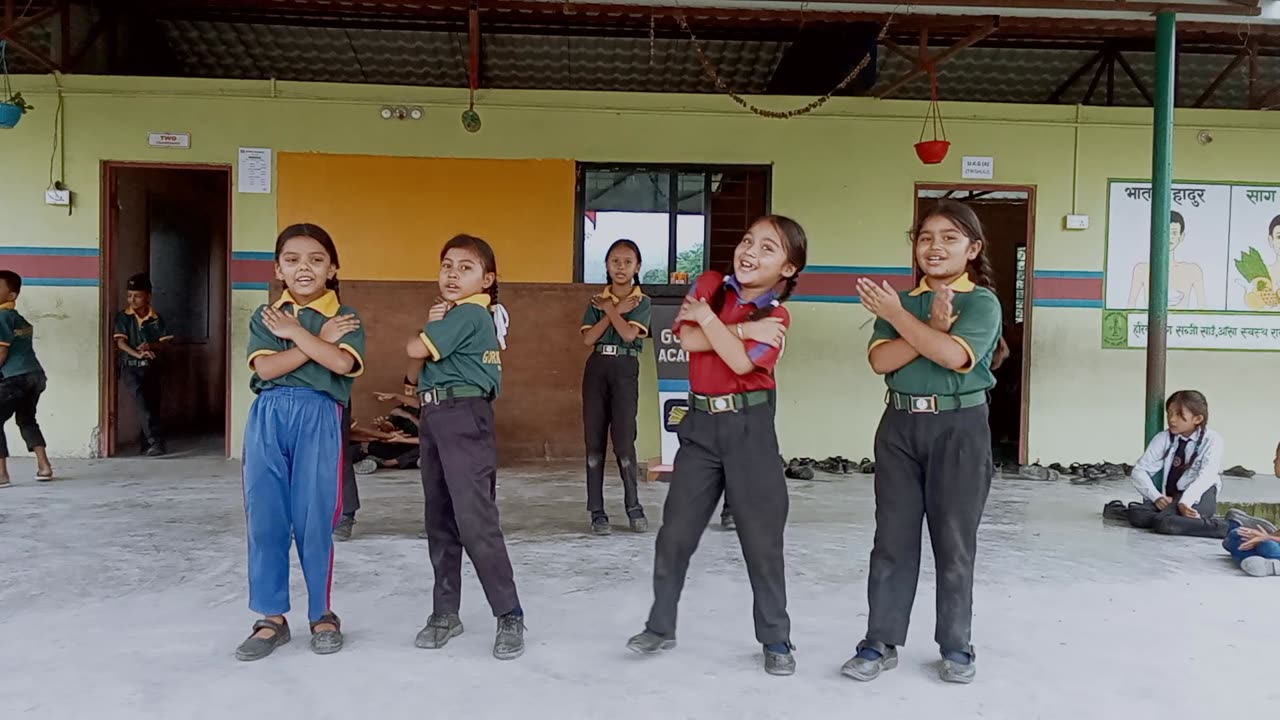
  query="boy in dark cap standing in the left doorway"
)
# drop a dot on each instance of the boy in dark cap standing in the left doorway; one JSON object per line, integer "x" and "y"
{"x": 139, "y": 335}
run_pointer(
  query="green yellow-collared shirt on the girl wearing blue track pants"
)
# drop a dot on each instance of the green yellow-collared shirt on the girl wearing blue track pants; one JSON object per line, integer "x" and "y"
{"x": 312, "y": 375}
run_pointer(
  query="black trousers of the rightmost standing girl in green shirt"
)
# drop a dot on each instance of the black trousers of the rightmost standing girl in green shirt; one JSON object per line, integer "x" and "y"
{"x": 934, "y": 468}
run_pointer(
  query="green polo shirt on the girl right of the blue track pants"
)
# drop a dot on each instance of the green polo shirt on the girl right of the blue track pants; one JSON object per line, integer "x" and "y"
{"x": 464, "y": 349}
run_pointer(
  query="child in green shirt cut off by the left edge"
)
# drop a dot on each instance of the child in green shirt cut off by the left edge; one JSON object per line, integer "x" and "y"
{"x": 22, "y": 380}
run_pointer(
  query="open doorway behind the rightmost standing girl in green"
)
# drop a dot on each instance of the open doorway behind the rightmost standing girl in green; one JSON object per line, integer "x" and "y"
{"x": 1008, "y": 216}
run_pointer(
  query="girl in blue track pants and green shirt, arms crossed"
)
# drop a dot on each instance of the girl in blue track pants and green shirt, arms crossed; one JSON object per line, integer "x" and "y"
{"x": 304, "y": 350}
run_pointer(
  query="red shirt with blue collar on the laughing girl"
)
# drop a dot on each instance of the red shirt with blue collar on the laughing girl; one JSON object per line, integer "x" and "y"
{"x": 708, "y": 373}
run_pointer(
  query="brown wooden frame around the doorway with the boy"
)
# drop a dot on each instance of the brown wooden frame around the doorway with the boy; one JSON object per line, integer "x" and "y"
{"x": 109, "y": 390}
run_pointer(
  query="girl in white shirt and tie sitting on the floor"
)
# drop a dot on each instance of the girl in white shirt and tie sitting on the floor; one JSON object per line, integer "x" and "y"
{"x": 1190, "y": 458}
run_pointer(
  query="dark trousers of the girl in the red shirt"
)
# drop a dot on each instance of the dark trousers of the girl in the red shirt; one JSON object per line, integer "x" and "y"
{"x": 735, "y": 454}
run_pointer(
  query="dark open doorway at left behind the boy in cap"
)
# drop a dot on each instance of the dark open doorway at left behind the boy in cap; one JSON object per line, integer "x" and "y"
{"x": 172, "y": 222}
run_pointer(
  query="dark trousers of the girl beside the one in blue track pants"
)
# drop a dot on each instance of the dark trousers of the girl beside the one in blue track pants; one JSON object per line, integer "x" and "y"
{"x": 460, "y": 466}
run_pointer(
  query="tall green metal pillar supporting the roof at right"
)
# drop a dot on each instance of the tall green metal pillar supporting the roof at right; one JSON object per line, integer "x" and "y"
{"x": 1162, "y": 195}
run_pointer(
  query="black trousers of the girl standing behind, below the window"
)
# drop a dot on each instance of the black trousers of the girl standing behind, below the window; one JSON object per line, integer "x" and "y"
{"x": 611, "y": 391}
